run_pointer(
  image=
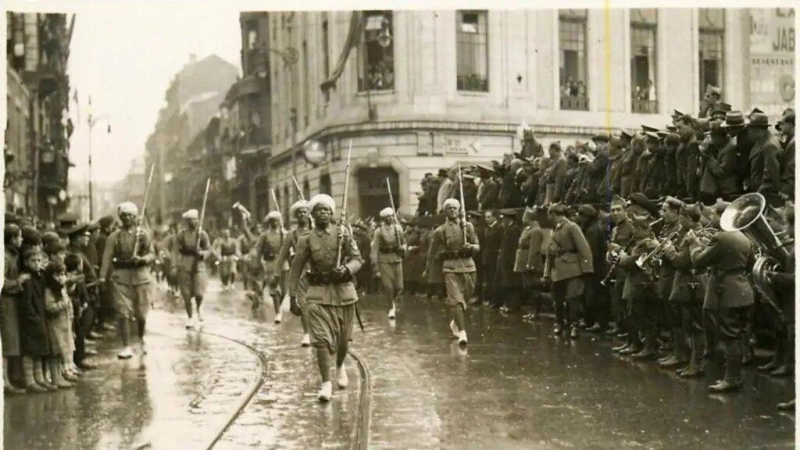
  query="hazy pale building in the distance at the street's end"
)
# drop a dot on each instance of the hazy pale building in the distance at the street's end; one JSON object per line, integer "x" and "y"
{"x": 192, "y": 100}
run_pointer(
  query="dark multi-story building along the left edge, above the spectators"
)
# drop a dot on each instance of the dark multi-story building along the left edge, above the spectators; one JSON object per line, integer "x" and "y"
{"x": 38, "y": 132}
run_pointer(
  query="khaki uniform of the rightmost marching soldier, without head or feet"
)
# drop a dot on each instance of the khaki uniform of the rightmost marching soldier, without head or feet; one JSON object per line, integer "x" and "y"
{"x": 458, "y": 267}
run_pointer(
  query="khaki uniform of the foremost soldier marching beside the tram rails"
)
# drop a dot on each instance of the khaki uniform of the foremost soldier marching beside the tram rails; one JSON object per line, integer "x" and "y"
{"x": 330, "y": 304}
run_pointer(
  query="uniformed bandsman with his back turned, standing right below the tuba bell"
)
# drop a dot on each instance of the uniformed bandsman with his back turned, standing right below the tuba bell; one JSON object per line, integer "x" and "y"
{"x": 728, "y": 296}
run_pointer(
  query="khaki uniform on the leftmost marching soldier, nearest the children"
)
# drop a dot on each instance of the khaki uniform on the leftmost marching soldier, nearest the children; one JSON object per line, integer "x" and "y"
{"x": 130, "y": 286}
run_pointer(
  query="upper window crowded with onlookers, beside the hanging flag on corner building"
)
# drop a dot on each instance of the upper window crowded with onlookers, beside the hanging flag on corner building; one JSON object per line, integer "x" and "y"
{"x": 376, "y": 52}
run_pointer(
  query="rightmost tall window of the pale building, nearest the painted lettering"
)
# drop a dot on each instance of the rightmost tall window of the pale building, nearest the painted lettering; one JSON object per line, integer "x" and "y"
{"x": 712, "y": 38}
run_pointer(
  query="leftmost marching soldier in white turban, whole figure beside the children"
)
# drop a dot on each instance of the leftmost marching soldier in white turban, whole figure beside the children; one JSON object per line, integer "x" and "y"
{"x": 127, "y": 253}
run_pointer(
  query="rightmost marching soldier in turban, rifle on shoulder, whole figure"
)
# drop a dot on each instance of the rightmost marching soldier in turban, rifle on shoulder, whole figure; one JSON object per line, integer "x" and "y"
{"x": 455, "y": 243}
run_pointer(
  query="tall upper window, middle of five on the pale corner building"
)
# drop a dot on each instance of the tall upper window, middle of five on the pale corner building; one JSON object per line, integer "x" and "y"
{"x": 572, "y": 66}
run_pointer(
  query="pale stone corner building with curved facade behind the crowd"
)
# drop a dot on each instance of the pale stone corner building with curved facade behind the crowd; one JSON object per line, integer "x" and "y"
{"x": 414, "y": 91}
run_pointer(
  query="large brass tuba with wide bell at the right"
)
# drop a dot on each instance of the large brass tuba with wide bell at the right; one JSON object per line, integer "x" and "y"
{"x": 750, "y": 215}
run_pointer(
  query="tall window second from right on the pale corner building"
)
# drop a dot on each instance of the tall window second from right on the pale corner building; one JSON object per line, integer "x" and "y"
{"x": 644, "y": 24}
